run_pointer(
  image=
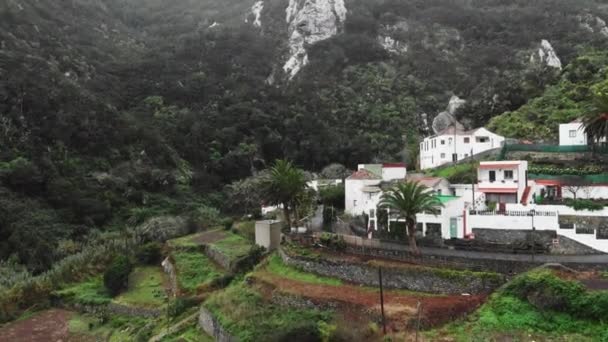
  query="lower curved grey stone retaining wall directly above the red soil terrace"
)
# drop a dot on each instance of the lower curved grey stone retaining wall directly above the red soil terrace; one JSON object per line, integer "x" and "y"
{"x": 422, "y": 279}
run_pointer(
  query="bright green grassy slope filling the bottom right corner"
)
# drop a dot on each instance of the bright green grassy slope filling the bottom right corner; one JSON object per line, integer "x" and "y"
{"x": 576, "y": 315}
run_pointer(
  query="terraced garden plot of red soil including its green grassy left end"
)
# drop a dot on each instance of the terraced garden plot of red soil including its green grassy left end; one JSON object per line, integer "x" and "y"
{"x": 401, "y": 307}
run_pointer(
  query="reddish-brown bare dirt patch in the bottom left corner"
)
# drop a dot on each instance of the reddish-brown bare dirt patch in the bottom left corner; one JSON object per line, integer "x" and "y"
{"x": 46, "y": 326}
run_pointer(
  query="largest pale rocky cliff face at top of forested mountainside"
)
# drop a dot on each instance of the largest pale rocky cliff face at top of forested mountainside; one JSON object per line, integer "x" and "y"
{"x": 310, "y": 21}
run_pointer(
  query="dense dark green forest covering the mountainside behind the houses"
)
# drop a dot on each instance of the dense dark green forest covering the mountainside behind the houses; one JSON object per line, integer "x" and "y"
{"x": 113, "y": 111}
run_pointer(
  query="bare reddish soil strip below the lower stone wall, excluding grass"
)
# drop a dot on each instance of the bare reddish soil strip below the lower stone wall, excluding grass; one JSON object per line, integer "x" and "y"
{"x": 400, "y": 309}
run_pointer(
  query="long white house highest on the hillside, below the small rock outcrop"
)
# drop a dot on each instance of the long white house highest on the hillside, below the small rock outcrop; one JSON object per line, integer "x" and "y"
{"x": 453, "y": 144}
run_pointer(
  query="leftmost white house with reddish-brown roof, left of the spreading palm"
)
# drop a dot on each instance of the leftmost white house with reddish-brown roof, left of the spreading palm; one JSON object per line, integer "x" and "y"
{"x": 362, "y": 189}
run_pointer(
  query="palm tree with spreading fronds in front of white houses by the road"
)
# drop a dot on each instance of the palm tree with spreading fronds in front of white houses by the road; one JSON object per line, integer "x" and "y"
{"x": 408, "y": 199}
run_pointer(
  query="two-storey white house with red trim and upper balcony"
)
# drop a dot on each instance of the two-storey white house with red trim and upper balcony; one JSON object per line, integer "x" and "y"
{"x": 504, "y": 181}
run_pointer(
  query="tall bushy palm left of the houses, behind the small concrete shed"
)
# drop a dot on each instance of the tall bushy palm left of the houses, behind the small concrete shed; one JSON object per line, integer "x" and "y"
{"x": 284, "y": 185}
